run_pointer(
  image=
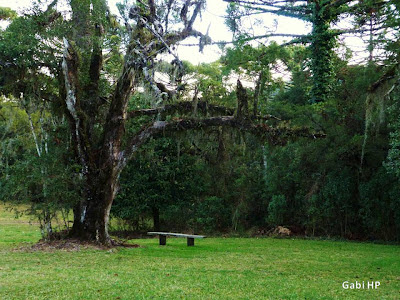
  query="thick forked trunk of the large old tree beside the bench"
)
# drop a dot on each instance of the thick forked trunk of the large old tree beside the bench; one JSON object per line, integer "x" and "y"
{"x": 100, "y": 167}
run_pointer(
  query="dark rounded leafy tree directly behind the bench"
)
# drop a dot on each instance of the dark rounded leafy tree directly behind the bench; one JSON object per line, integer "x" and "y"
{"x": 166, "y": 178}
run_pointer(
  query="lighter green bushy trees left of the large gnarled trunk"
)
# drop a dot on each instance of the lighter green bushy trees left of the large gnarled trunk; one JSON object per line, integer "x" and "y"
{"x": 36, "y": 168}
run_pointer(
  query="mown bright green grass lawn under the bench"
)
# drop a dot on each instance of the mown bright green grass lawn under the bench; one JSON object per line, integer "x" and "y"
{"x": 216, "y": 268}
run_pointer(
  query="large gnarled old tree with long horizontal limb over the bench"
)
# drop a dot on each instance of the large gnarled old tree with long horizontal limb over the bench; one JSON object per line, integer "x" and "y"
{"x": 100, "y": 150}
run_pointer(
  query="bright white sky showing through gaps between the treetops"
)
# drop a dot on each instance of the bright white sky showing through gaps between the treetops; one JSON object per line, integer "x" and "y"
{"x": 213, "y": 15}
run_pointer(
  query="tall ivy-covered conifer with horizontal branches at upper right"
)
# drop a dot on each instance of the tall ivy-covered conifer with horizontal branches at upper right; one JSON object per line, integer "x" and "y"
{"x": 321, "y": 14}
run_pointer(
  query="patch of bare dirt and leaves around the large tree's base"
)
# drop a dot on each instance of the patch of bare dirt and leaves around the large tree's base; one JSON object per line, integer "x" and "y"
{"x": 73, "y": 245}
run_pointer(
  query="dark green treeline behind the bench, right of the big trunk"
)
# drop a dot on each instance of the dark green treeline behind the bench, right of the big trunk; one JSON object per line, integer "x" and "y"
{"x": 223, "y": 181}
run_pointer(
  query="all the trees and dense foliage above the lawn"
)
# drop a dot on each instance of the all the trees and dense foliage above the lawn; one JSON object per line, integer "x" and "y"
{"x": 214, "y": 178}
